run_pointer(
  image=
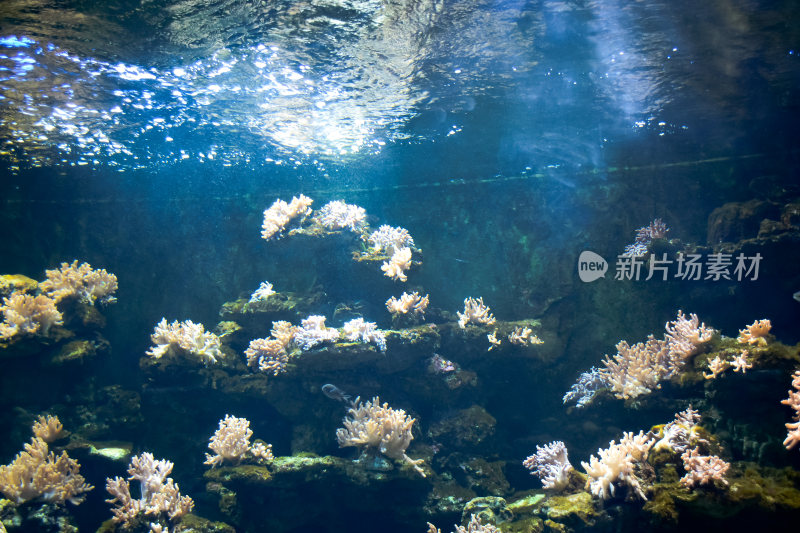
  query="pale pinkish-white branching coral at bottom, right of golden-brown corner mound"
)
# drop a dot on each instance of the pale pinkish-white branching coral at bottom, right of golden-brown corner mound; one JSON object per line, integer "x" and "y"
{"x": 160, "y": 497}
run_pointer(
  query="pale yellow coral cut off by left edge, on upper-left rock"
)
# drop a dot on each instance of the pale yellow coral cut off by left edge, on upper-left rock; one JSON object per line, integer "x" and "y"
{"x": 28, "y": 315}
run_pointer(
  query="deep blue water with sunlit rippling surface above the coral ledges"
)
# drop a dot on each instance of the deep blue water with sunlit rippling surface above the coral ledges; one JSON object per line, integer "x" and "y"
{"x": 147, "y": 138}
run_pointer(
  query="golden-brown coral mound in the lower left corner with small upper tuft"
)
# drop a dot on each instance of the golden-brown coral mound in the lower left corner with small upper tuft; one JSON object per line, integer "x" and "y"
{"x": 37, "y": 473}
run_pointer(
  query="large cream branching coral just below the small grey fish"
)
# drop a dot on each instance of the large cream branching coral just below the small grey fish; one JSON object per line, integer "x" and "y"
{"x": 373, "y": 426}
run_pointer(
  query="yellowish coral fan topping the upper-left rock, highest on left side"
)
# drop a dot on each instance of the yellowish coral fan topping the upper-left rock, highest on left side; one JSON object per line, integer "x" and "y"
{"x": 82, "y": 281}
